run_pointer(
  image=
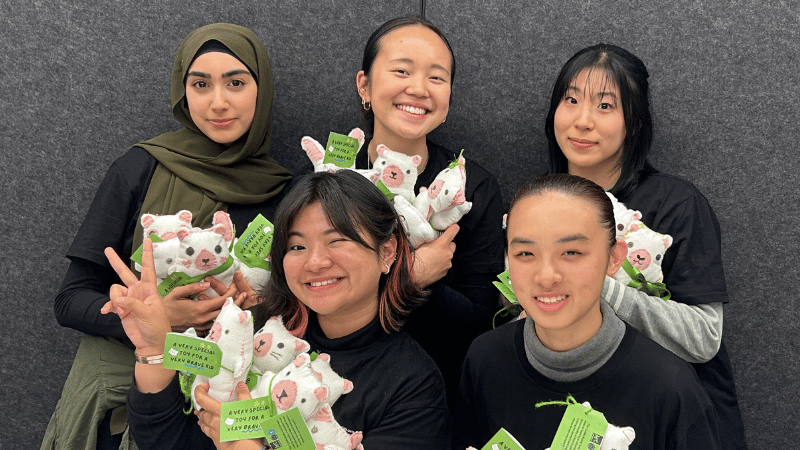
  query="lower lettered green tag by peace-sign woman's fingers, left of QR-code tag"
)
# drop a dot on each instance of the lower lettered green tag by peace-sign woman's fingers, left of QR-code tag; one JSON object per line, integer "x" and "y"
{"x": 242, "y": 419}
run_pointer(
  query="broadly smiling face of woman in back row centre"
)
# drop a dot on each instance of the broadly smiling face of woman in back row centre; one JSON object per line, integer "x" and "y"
{"x": 408, "y": 86}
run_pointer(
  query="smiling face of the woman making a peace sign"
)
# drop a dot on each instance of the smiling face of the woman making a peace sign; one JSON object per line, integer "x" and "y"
{"x": 333, "y": 275}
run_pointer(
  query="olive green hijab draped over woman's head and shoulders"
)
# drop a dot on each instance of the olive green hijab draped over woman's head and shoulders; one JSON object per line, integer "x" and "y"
{"x": 198, "y": 174}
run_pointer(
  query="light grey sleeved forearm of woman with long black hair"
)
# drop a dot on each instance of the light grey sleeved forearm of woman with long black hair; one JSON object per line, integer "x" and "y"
{"x": 693, "y": 332}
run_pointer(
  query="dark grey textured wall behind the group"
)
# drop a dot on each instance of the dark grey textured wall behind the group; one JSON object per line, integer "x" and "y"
{"x": 81, "y": 81}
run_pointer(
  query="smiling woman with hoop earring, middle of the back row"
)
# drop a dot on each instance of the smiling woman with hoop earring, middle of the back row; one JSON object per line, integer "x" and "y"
{"x": 405, "y": 85}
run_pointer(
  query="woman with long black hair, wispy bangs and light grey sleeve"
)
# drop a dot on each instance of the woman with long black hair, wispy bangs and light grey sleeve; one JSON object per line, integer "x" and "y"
{"x": 599, "y": 126}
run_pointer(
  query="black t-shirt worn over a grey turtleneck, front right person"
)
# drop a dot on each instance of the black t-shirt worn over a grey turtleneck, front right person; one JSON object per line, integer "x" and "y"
{"x": 642, "y": 386}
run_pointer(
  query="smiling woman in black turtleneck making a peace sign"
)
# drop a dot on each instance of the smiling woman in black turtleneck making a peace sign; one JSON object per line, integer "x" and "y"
{"x": 342, "y": 281}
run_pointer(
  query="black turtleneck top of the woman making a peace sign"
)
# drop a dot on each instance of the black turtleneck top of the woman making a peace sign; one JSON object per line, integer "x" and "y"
{"x": 397, "y": 400}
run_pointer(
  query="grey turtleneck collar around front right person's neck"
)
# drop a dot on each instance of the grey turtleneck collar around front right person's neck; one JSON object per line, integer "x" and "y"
{"x": 581, "y": 362}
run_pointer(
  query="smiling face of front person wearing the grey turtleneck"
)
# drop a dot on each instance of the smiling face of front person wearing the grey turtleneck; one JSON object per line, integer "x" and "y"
{"x": 558, "y": 257}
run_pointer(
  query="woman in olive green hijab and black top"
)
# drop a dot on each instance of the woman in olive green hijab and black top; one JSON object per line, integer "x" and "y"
{"x": 219, "y": 160}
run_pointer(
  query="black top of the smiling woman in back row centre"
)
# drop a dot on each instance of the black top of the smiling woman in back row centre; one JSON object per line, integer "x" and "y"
{"x": 461, "y": 305}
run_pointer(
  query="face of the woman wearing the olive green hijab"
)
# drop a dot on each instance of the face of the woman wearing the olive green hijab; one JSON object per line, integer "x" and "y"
{"x": 221, "y": 96}
